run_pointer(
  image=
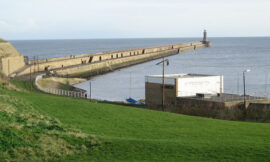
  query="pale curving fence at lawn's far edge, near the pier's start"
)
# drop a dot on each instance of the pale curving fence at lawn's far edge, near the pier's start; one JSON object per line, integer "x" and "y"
{"x": 56, "y": 91}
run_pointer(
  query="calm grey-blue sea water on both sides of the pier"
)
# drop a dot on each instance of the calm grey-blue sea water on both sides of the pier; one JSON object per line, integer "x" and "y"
{"x": 227, "y": 56}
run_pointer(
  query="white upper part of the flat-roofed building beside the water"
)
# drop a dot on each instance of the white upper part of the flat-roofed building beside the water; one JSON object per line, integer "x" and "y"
{"x": 190, "y": 84}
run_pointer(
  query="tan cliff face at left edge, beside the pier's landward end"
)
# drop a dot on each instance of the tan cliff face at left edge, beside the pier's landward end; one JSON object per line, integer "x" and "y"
{"x": 10, "y": 59}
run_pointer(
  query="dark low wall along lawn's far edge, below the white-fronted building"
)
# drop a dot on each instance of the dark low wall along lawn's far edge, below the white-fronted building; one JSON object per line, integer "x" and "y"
{"x": 258, "y": 110}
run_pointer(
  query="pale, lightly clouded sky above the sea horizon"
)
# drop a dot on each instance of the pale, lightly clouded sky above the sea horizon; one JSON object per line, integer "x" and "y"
{"x": 91, "y": 19}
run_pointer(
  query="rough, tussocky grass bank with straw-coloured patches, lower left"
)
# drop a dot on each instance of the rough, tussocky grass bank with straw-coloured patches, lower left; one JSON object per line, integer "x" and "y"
{"x": 28, "y": 135}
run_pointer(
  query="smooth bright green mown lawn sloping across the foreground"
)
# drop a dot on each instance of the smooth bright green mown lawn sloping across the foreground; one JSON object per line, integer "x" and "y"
{"x": 133, "y": 134}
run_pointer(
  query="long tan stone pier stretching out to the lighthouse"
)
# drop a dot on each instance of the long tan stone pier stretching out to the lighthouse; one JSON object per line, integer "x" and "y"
{"x": 91, "y": 64}
